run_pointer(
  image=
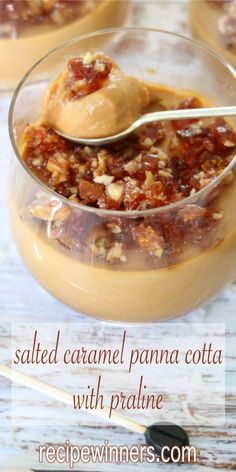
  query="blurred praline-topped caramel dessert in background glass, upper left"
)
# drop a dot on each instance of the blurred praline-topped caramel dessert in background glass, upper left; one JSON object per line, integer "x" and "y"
{"x": 29, "y": 28}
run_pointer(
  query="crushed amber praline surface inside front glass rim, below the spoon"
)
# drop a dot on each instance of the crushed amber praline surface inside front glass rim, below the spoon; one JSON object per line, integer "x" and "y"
{"x": 153, "y": 168}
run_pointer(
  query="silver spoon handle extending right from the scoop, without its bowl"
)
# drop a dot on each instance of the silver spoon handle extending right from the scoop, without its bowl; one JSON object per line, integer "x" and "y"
{"x": 185, "y": 114}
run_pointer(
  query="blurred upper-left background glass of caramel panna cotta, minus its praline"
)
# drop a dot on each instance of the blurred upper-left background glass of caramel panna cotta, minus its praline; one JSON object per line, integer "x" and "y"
{"x": 21, "y": 47}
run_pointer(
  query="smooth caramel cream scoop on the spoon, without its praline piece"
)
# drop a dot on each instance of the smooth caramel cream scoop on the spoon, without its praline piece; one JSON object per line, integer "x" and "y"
{"x": 109, "y": 110}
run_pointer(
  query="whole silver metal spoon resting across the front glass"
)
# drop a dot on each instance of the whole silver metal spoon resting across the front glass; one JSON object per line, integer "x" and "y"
{"x": 168, "y": 115}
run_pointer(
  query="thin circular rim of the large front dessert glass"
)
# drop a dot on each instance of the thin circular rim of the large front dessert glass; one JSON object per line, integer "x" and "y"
{"x": 118, "y": 213}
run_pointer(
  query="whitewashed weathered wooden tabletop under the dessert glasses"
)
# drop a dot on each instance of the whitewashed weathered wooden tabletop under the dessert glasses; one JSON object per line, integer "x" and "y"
{"x": 21, "y": 299}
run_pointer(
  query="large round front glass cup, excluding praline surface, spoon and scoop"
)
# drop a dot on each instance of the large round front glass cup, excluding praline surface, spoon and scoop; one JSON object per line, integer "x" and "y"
{"x": 83, "y": 255}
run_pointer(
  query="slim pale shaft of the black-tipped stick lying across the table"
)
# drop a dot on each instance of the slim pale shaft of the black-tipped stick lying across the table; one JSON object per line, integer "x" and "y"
{"x": 67, "y": 398}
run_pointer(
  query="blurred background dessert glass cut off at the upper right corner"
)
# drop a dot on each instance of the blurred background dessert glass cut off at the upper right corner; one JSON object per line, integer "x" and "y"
{"x": 213, "y": 23}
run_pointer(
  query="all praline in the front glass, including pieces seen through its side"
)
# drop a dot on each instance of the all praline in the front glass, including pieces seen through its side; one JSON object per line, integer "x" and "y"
{"x": 160, "y": 164}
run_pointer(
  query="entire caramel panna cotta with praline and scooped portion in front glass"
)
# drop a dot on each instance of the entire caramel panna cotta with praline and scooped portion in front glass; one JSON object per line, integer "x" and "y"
{"x": 138, "y": 230}
